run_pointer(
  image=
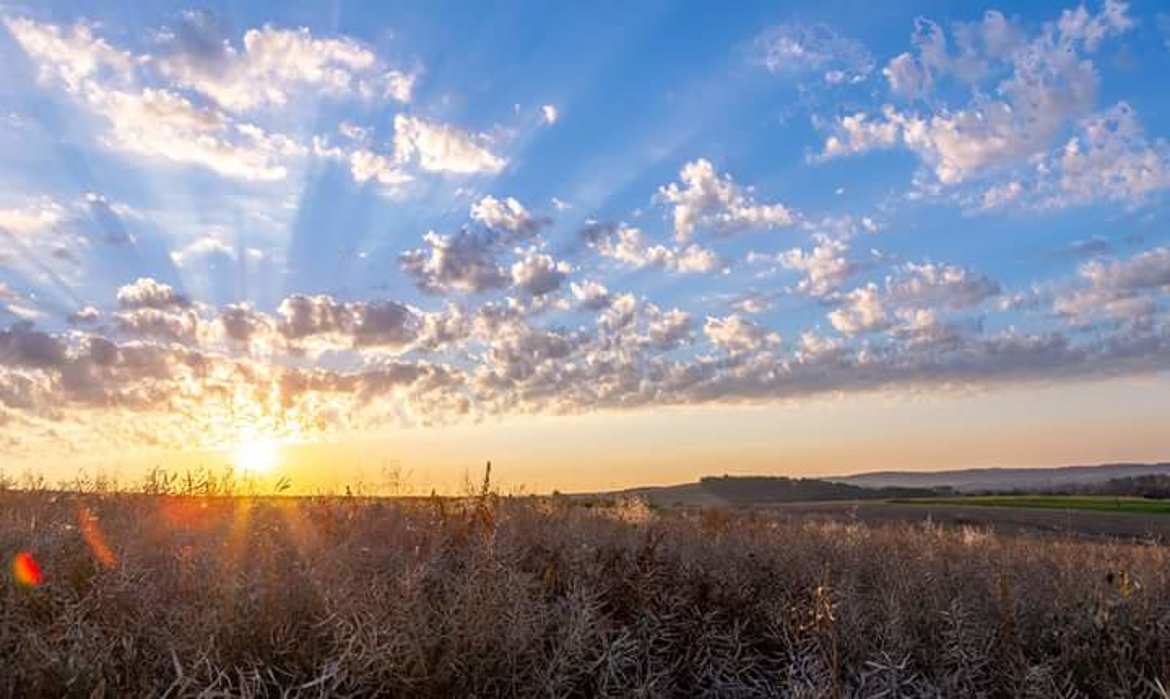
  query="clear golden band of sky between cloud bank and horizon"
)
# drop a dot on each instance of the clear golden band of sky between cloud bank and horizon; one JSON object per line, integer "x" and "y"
{"x": 1029, "y": 426}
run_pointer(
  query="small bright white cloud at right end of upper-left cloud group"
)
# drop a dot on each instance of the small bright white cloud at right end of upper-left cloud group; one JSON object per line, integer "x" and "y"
{"x": 443, "y": 148}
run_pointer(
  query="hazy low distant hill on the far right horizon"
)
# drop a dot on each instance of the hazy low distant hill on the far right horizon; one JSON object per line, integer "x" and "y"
{"x": 969, "y": 481}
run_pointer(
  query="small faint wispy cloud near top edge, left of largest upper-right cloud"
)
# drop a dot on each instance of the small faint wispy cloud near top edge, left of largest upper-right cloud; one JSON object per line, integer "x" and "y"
{"x": 802, "y": 50}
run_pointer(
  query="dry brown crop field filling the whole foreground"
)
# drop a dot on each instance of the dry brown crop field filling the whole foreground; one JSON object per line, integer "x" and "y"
{"x": 532, "y": 597}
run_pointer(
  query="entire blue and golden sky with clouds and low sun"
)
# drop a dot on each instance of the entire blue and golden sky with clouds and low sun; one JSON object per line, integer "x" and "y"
{"x": 598, "y": 245}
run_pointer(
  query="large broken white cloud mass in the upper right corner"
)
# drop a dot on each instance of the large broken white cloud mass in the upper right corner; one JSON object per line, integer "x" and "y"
{"x": 1007, "y": 126}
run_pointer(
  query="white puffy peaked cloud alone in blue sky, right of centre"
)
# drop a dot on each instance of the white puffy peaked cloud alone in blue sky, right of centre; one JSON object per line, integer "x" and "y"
{"x": 711, "y": 202}
